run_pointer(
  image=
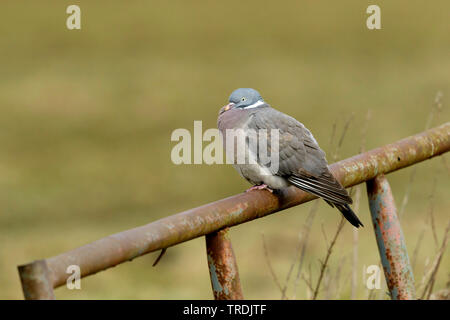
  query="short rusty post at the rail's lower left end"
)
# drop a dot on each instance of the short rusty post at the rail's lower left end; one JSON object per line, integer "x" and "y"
{"x": 36, "y": 284}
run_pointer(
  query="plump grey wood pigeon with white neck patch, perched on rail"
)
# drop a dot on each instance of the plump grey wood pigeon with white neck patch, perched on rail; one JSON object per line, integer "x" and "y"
{"x": 301, "y": 162}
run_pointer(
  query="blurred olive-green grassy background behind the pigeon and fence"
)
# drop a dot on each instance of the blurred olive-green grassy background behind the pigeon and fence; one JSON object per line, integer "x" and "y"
{"x": 86, "y": 118}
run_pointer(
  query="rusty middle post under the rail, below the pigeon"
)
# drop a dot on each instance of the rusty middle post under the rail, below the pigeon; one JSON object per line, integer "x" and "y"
{"x": 222, "y": 266}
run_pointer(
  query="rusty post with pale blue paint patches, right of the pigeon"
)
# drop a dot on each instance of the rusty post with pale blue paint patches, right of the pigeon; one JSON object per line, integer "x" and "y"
{"x": 390, "y": 240}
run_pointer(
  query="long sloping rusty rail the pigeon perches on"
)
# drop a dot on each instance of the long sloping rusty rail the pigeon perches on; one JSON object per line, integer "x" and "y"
{"x": 118, "y": 248}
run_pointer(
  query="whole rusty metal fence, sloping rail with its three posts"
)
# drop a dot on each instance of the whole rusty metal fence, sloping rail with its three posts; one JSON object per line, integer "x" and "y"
{"x": 40, "y": 277}
